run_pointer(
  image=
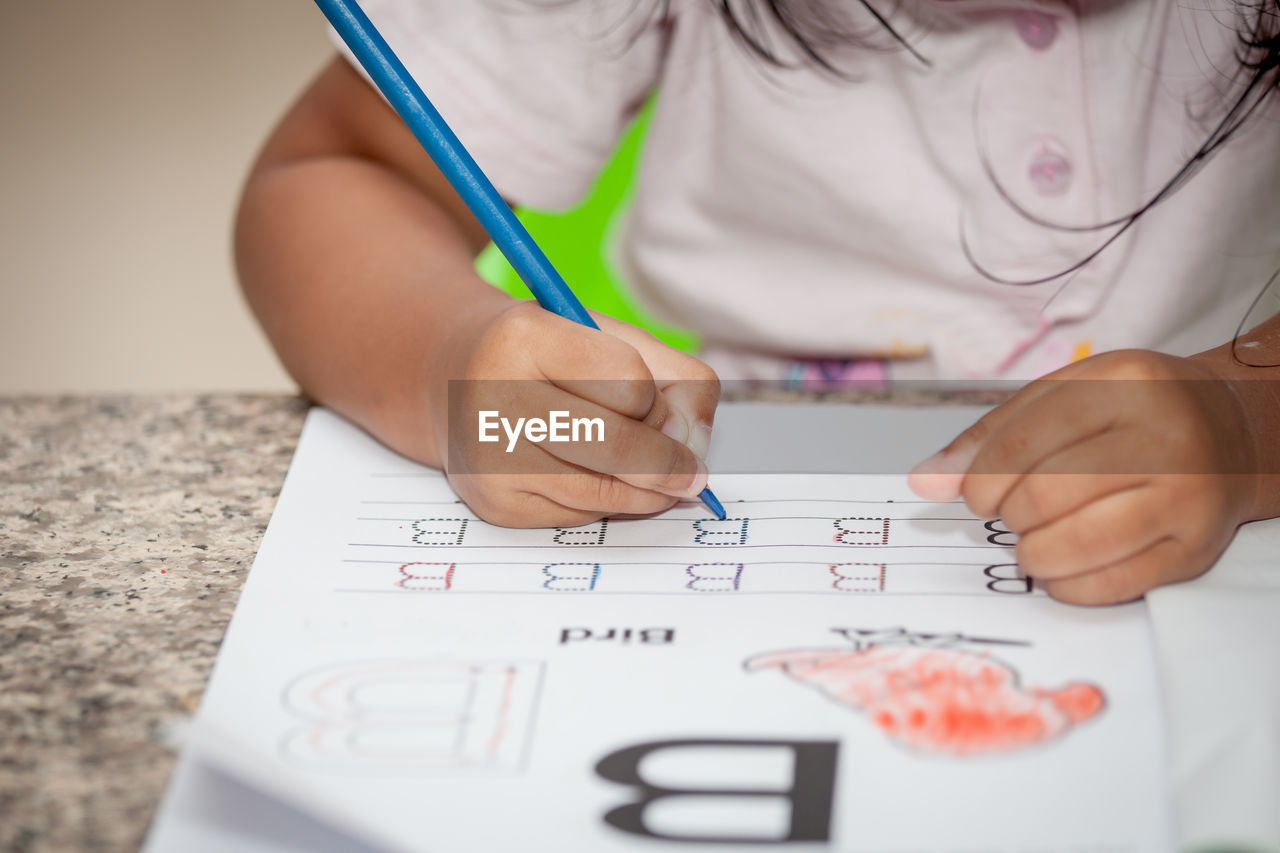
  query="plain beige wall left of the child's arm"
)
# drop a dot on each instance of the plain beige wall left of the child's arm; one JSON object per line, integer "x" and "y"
{"x": 127, "y": 129}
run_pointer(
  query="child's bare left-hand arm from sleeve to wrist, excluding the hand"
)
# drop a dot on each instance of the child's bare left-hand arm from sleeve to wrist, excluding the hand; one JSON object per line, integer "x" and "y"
{"x": 358, "y": 259}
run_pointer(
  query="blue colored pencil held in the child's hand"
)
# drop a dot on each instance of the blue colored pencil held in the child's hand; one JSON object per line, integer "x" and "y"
{"x": 452, "y": 159}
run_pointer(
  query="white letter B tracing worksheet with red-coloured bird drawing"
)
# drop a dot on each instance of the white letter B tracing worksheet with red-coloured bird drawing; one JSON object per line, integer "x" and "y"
{"x": 839, "y": 665}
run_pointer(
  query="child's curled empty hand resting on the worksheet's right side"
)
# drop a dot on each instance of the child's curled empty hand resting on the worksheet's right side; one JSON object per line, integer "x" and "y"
{"x": 1119, "y": 473}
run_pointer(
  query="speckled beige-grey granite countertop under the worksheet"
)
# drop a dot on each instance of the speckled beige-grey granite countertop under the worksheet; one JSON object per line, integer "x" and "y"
{"x": 127, "y": 527}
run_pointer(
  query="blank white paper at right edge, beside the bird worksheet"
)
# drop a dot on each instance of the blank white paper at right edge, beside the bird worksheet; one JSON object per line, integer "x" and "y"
{"x": 1219, "y": 642}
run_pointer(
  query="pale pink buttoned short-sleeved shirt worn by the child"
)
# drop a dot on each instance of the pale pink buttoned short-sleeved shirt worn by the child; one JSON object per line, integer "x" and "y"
{"x": 792, "y": 215}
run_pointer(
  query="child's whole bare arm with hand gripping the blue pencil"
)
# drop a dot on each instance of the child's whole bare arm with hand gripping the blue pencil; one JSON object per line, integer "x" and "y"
{"x": 358, "y": 258}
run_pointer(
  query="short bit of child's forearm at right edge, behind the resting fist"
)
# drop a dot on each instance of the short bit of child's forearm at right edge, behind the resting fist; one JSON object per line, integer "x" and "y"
{"x": 1259, "y": 393}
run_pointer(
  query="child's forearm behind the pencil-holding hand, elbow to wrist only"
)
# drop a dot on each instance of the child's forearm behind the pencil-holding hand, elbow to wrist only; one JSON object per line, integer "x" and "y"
{"x": 358, "y": 280}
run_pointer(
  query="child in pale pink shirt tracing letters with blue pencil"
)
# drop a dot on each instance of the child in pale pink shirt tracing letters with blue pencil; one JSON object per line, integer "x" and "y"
{"x": 953, "y": 189}
